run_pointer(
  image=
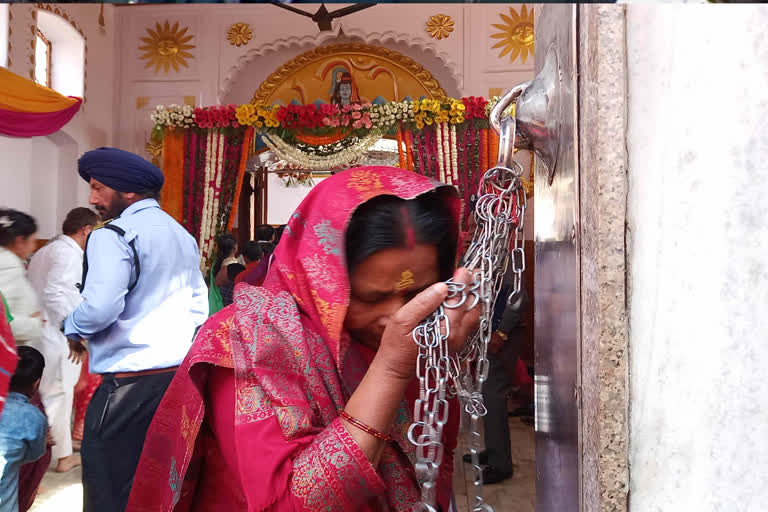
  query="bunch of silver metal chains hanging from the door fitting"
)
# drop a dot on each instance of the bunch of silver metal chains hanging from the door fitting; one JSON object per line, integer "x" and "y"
{"x": 499, "y": 215}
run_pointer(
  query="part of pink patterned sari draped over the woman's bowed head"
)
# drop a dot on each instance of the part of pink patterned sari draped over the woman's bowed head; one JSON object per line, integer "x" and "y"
{"x": 310, "y": 260}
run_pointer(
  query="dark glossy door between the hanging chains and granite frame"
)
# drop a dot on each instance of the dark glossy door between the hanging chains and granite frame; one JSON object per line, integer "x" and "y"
{"x": 557, "y": 271}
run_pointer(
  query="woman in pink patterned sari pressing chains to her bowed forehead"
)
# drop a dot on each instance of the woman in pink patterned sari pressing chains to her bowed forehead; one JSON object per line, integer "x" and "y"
{"x": 298, "y": 397}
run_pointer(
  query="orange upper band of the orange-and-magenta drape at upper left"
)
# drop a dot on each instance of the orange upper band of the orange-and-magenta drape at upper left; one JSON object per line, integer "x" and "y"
{"x": 22, "y": 95}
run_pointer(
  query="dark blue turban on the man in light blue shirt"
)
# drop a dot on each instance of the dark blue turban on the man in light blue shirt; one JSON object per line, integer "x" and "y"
{"x": 120, "y": 170}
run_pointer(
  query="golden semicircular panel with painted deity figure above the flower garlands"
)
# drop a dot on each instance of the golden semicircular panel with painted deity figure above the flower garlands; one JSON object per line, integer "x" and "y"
{"x": 349, "y": 72}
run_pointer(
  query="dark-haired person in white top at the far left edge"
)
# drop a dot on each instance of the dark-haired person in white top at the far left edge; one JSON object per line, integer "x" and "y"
{"x": 18, "y": 234}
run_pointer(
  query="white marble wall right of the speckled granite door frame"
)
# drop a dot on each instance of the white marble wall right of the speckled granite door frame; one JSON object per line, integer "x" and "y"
{"x": 698, "y": 239}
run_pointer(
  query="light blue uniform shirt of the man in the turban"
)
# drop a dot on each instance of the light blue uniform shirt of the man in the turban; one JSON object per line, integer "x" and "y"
{"x": 152, "y": 326}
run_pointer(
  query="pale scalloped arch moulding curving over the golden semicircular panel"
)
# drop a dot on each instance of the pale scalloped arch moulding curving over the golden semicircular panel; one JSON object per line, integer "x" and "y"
{"x": 281, "y": 50}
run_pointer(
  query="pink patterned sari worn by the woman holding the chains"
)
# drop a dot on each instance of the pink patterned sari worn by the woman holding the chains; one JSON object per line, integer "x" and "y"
{"x": 277, "y": 366}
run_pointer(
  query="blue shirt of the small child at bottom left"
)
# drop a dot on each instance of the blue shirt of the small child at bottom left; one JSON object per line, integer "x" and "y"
{"x": 22, "y": 440}
